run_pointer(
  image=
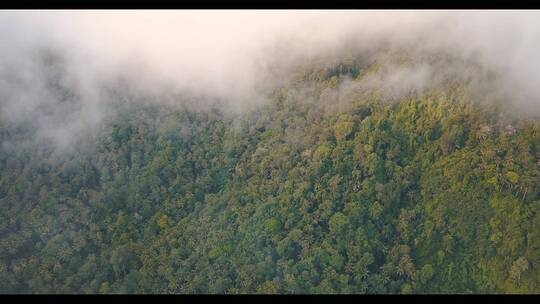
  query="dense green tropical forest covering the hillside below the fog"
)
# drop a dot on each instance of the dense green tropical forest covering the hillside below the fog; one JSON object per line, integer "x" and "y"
{"x": 330, "y": 187}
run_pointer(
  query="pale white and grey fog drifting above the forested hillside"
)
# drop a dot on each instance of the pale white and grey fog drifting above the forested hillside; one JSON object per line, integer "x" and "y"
{"x": 233, "y": 56}
